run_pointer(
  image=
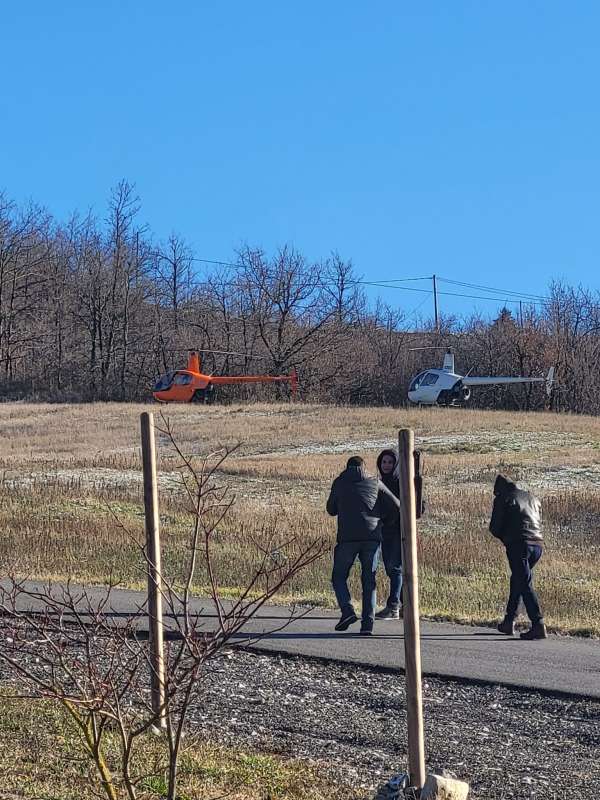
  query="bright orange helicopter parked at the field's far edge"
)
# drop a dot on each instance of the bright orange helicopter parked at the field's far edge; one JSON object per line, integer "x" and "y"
{"x": 190, "y": 385}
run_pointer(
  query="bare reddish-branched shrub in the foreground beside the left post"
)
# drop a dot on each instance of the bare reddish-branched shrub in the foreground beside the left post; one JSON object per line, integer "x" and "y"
{"x": 62, "y": 644}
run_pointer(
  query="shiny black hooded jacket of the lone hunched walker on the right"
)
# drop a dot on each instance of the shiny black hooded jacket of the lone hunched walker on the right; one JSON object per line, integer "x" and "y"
{"x": 516, "y": 515}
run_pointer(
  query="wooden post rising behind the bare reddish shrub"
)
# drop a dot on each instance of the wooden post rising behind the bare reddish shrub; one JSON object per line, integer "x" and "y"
{"x": 155, "y": 621}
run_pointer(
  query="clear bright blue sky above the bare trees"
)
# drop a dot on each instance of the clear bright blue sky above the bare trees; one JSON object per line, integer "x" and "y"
{"x": 457, "y": 138}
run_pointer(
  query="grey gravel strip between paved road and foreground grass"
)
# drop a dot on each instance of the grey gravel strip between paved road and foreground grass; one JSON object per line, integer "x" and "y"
{"x": 351, "y": 721}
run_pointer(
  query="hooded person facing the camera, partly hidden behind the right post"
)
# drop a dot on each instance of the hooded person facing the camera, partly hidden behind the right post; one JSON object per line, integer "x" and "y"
{"x": 391, "y": 542}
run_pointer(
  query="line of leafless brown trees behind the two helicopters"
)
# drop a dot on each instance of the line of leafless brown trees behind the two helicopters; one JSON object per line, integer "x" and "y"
{"x": 97, "y": 309}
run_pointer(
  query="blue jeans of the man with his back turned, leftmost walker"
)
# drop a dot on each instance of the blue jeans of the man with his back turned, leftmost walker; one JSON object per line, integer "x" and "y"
{"x": 344, "y": 556}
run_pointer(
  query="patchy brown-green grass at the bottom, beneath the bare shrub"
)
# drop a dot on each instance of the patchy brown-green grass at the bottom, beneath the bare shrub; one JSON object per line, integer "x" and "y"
{"x": 41, "y": 757}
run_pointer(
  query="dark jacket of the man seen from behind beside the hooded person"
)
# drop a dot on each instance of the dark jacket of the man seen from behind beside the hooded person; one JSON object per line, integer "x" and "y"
{"x": 360, "y": 503}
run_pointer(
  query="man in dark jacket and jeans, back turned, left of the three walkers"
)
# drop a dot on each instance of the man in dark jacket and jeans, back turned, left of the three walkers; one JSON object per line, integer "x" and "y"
{"x": 360, "y": 503}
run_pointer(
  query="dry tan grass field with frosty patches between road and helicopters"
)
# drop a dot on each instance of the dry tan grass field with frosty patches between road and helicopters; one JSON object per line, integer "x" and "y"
{"x": 67, "y": 470}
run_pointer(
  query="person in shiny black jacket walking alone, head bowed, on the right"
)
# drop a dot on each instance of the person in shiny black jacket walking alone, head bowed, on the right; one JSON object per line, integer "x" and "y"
{"x": 517, "y": 522}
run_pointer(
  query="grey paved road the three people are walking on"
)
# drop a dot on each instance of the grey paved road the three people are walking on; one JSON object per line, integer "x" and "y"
{"x": 558, "y": 664}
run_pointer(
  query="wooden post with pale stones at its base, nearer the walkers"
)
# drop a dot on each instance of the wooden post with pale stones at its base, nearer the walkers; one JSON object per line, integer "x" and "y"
{"x": 412, "y": 636}
